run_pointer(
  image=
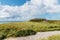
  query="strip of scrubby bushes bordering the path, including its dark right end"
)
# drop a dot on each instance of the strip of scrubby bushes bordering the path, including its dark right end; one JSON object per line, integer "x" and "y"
{"x": 5, "y": 33}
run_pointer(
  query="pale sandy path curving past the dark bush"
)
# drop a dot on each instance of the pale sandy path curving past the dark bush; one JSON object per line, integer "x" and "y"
{"x": 38, "y": 36}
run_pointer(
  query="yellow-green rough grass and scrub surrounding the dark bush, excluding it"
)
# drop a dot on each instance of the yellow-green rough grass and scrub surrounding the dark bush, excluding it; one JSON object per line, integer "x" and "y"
{"x": 10, "y": 29}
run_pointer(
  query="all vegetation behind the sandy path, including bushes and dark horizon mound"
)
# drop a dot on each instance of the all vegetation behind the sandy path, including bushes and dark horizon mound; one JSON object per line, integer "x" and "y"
{"x": 18, "y": 29}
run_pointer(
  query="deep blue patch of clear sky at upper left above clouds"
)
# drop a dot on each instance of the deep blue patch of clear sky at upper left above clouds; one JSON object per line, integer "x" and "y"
{"x": 13, "y": 2}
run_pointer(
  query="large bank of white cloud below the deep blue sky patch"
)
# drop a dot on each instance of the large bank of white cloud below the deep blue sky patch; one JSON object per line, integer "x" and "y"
{"x": 30, "y": 9}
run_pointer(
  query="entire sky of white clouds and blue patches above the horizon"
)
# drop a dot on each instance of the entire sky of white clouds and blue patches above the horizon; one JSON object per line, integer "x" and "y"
{"x": 21, "y": 10}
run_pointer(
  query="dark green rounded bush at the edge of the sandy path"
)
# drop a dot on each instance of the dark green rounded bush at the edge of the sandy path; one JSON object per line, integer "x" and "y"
{"x": 25, "y": 33}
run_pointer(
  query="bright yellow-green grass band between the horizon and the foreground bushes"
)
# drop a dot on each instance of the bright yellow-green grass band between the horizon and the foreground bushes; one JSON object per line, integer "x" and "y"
{"x": 36, "y": 26}
